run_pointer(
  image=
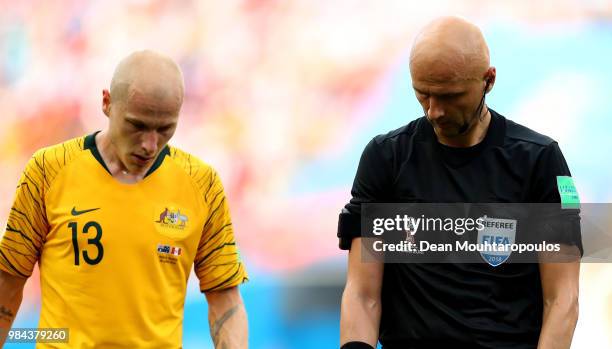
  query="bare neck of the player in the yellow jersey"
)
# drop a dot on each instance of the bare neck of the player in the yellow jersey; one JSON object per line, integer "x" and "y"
{"x": 116, "y": 167}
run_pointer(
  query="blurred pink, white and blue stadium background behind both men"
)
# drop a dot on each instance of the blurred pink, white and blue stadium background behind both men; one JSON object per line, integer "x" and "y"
{"x": 281, "y": 98}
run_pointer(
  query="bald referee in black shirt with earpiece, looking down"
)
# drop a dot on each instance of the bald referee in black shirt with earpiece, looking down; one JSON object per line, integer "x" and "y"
{"x": 461, "y": 151}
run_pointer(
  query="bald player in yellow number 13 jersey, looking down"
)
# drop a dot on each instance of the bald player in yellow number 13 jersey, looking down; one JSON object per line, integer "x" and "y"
{"x": 116, "y": 220}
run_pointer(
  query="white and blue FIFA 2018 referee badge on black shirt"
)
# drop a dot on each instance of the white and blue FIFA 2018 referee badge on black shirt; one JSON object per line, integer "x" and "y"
{"x": 497, "y": 231}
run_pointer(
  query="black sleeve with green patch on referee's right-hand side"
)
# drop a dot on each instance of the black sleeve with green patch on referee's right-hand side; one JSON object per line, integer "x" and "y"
{"x": 557, "y": 223}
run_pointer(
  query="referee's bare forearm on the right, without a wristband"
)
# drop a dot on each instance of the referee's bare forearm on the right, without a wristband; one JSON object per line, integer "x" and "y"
{"x": 559, "y": 321}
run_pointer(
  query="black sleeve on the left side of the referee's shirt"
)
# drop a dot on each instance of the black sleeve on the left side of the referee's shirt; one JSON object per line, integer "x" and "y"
{"x": 371, "y": 184}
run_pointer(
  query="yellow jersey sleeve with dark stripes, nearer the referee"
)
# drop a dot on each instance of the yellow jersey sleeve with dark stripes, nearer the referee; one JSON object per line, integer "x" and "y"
{"x": 217, "y": 263}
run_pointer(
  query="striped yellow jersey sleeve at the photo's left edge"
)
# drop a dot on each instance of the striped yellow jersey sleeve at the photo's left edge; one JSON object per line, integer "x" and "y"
{"x": 26, "y": 228}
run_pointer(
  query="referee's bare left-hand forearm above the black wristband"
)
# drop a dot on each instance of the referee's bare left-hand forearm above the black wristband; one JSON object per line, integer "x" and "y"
{"x": 359, "y": 318}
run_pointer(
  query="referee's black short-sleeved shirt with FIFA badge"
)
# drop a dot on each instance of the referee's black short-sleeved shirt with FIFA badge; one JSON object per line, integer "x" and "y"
{"x": 457, "y": 305}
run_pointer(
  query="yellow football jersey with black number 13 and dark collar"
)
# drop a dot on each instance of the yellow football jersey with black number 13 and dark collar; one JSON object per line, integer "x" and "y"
{"x": 114, "y": 258}
